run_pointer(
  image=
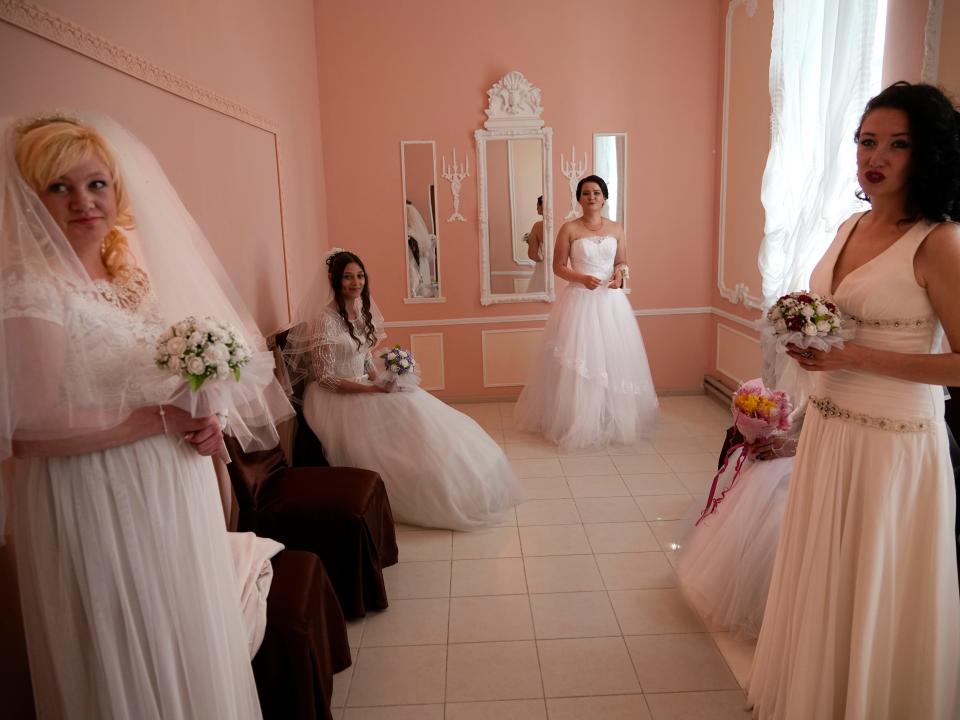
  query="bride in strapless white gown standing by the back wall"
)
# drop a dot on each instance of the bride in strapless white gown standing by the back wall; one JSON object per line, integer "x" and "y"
{"x": 590, "y": 385}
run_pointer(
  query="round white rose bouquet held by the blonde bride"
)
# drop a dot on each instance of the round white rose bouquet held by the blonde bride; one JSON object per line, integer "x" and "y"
{"x": 199, "y": 350}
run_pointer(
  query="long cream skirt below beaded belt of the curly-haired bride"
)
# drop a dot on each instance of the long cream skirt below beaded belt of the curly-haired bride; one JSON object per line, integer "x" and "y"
{"x": 863, "y": 617}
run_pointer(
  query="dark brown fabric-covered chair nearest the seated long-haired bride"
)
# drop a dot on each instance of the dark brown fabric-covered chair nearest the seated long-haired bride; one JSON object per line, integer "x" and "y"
{"x": 341, "y": 514}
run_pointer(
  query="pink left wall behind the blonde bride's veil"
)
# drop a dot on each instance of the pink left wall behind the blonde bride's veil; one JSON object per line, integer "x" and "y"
{"x": 234, "y": 177}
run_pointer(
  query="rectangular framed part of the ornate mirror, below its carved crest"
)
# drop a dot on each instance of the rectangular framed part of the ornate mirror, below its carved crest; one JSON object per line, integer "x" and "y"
{"x": 515, "y": 215}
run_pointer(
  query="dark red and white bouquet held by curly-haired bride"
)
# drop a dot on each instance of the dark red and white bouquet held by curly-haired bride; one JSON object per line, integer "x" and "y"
{"x": 806, "y": 320}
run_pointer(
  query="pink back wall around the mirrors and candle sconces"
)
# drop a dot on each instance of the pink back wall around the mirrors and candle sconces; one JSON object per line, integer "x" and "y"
{"x": 421, "y": 69}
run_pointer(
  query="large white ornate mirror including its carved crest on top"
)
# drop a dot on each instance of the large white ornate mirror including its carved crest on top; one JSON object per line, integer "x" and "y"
{"x": 514, "y": 154}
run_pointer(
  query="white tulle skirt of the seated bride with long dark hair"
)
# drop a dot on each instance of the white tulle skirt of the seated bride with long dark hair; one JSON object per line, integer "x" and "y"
{"x": 440, "y": 468}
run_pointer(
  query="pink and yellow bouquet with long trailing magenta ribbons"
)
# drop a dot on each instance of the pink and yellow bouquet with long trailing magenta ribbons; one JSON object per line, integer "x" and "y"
{"x": 758, "y": 414}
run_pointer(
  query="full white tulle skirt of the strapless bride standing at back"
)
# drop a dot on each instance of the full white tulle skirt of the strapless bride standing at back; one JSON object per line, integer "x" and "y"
{"x": 590, "y": 385}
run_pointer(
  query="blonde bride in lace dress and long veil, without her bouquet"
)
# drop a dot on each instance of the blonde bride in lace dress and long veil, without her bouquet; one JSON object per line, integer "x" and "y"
{"x": 127, "y": 585}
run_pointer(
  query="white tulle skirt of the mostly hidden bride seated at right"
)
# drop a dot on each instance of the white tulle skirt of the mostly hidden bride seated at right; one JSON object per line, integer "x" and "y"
{"x": 726, "y": 562}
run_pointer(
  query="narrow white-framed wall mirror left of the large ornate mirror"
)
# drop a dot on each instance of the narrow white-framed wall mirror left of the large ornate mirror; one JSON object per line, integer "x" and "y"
{"x": 420, "y": 236}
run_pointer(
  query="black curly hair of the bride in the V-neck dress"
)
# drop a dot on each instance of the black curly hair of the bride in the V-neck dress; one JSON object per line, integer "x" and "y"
{"x": 933, "y": 188}
